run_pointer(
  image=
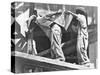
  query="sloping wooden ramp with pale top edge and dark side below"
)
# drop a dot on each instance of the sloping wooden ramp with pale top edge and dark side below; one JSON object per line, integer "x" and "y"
{"x": 25, "y": 61}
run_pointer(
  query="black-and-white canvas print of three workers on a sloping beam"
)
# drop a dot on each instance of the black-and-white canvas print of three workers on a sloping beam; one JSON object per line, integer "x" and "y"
{"x": 49, "y": 37}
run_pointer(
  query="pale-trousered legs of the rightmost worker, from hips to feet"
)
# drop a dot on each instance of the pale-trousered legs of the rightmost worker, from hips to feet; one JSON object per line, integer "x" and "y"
{"x": 82, "y": 45}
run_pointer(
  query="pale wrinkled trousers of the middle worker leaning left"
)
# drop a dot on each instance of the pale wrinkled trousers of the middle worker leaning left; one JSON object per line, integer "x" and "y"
{"x": 56, "y": 42}
